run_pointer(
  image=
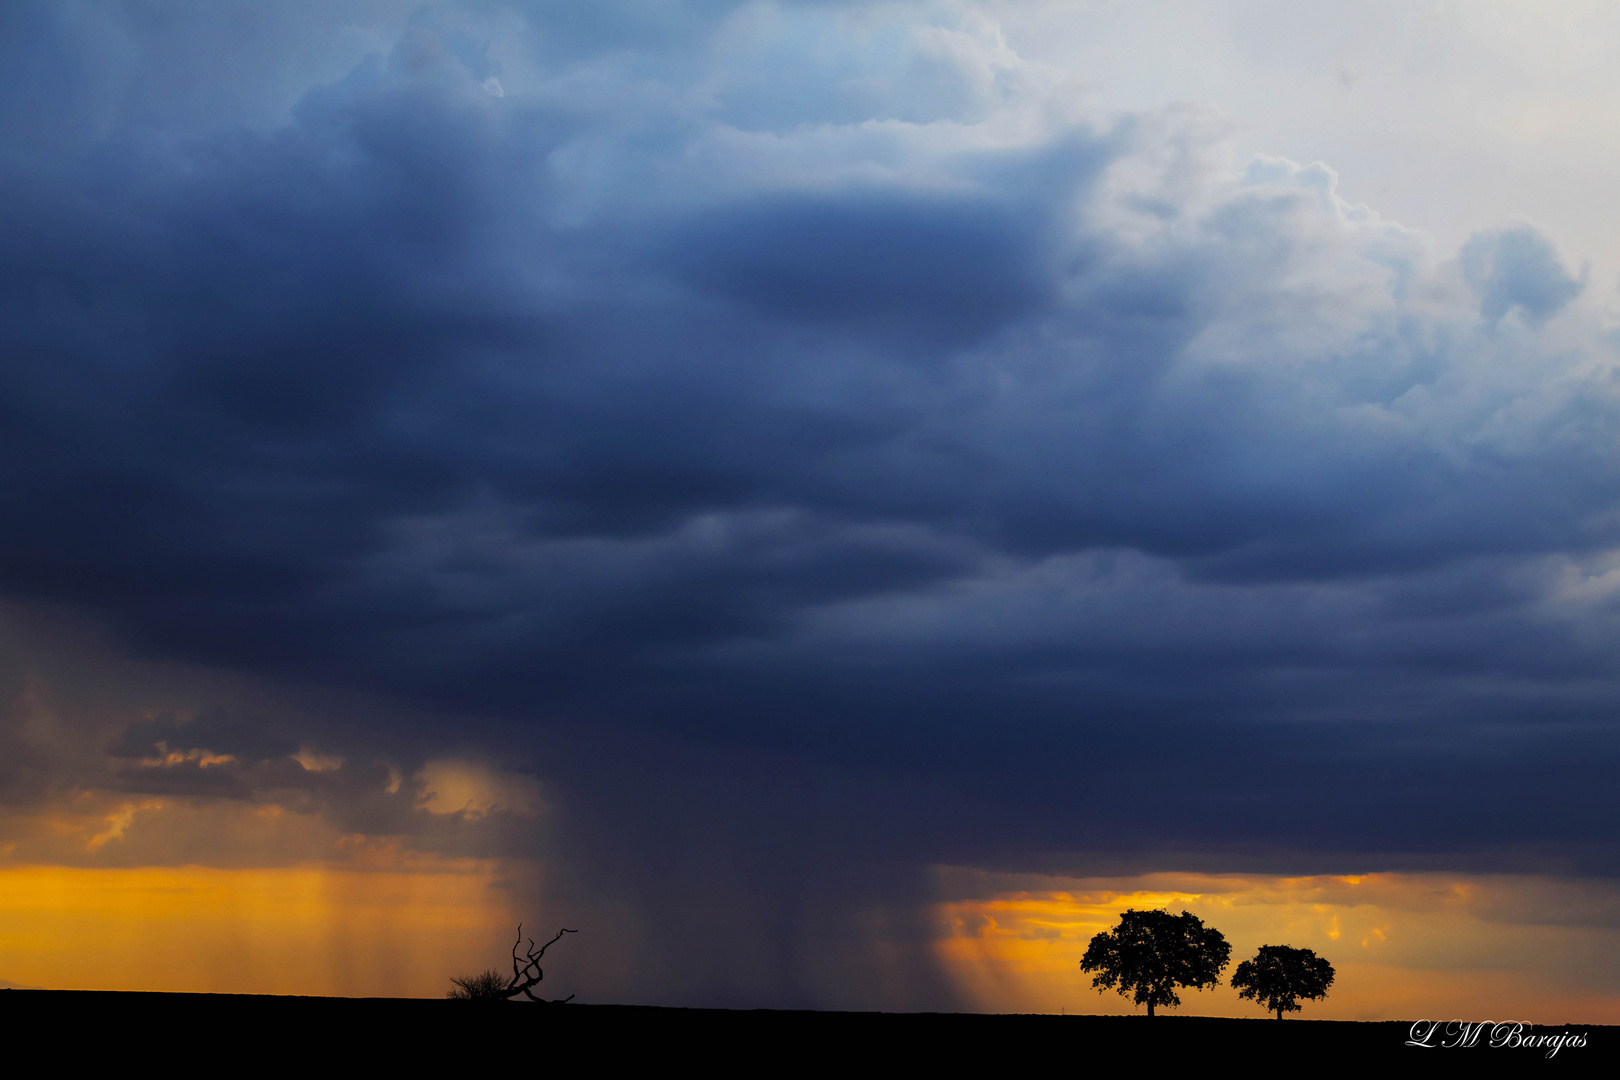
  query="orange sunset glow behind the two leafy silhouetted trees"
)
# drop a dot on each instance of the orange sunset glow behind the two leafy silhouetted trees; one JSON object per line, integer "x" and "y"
{"x": 1404, "y": 946}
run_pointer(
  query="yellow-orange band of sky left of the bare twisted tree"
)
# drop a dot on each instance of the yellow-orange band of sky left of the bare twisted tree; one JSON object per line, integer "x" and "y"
{"x": 296, "y": 930}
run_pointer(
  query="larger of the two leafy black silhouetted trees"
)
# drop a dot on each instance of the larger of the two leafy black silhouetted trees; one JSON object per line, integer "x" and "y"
{"x": 1149, "y": 955}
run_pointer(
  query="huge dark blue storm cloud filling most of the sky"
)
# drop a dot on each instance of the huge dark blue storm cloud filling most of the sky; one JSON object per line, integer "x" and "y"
{"x": 809, "y": 493}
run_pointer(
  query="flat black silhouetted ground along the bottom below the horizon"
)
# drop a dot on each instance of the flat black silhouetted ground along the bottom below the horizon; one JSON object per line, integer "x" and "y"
{"x": 318, "y": 1034}
